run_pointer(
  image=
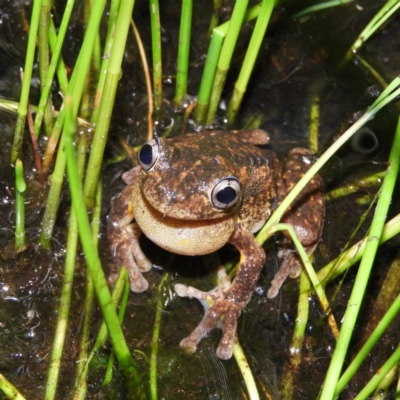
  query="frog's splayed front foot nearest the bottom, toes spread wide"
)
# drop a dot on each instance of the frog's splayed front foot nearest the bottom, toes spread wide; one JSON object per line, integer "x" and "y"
{"x": 219, "y": 313}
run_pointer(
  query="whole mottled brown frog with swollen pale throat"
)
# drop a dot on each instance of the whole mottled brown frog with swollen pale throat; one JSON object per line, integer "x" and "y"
{"x": 194, "y": 193}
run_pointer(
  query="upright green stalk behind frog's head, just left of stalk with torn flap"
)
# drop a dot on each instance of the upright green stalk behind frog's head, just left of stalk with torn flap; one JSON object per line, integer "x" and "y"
{"x": 183, "y": 52}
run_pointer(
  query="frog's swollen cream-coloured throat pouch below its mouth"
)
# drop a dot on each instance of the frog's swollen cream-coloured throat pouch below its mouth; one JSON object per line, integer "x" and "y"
{"x": 187, "y": 237}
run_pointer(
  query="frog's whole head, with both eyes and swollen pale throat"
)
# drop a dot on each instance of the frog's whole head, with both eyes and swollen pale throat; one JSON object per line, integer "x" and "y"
{"x": 188, "y": 196}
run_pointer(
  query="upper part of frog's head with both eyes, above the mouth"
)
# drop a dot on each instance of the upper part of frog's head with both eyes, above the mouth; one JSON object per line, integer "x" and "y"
{"x": 189, "y": 179}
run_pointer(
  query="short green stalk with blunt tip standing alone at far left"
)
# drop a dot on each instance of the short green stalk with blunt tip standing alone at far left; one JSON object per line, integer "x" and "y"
{"x": 20, "y": 187}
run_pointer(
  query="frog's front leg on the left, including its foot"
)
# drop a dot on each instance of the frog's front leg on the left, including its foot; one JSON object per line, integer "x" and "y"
{"x": 123, "y": 236}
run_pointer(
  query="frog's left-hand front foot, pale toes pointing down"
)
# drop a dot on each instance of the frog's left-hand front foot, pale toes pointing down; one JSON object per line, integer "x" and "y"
{"x": 126, "y": 252}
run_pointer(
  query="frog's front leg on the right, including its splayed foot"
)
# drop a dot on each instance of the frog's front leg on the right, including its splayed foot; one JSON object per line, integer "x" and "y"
{"x": 228, "y": 302}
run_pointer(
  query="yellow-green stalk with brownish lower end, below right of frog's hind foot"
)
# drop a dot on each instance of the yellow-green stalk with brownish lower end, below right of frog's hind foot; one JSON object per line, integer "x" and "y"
{"x": 292, "y": 366}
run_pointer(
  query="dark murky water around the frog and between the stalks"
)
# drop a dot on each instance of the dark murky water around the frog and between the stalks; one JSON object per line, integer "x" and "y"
{"x": 299, "y": 60}
